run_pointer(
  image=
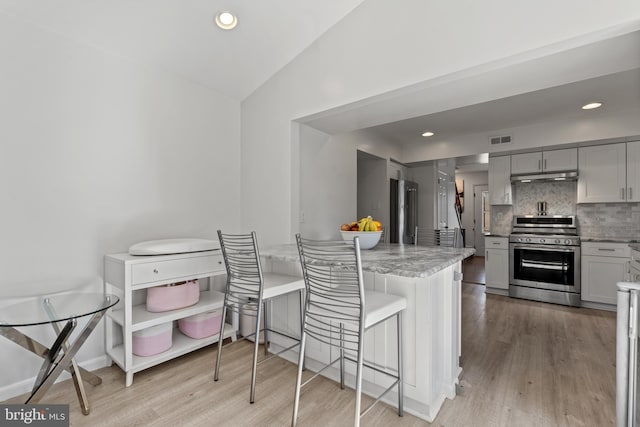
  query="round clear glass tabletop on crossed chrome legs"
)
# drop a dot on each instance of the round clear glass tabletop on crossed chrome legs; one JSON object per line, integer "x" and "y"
{"x": 55, "y": 308}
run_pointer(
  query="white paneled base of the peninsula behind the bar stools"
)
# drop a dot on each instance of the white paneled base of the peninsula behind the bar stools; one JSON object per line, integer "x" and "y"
{"x": 431, "y": 336}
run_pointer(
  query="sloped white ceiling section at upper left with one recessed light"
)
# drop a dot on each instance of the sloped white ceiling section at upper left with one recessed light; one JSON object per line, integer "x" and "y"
{"x": 180, "y": 35}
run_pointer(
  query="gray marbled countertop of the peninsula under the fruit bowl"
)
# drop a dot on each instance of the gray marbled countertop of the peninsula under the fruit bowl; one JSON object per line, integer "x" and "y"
{"x": 389, "y": 258}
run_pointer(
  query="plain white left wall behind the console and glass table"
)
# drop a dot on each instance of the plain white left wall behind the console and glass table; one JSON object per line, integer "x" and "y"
{"x": 98, "y": 153}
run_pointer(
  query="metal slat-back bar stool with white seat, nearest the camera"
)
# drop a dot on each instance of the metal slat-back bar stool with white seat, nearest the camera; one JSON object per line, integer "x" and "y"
{"x": 338, "y": 311}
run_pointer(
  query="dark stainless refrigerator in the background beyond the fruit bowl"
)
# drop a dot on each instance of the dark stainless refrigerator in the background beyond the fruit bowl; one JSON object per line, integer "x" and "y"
{"x": 403, "y": 215}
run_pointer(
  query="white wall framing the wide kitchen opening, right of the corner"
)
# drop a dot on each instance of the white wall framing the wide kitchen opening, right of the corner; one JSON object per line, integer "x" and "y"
{"x": 363, "y": 56}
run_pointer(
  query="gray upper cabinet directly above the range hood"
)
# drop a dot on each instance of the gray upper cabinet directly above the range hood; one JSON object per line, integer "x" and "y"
{"x": 545, "y": 161}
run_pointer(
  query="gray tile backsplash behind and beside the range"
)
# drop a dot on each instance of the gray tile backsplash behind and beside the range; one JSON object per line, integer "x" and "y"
{"x": 595, "y": 220}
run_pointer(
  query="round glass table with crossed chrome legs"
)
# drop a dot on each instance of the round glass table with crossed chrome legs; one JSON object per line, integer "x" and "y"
{"x": 62, "y": 312}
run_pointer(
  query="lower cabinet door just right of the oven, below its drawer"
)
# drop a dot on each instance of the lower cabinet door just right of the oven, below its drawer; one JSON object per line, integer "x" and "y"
{"x": 600, "y": 276}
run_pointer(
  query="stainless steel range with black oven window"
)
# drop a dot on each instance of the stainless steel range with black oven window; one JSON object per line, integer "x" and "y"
{"x": 544, "y": 254}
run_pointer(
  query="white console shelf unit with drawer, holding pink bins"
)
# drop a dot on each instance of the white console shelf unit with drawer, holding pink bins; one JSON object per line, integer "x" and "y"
{"x": 129, "y": 277}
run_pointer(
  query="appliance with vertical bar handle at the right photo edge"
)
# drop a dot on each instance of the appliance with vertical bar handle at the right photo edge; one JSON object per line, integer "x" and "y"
{"x": 627, "y": 355}
